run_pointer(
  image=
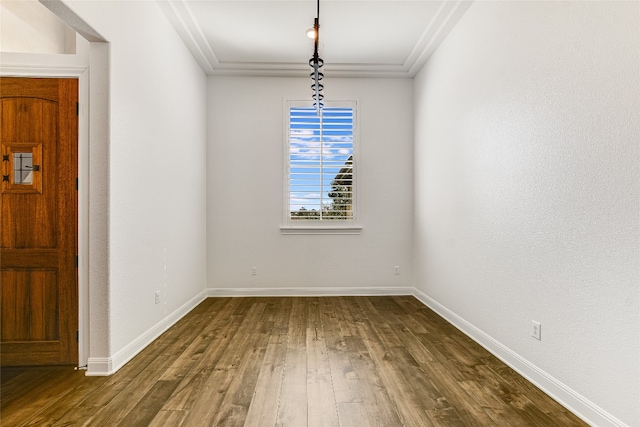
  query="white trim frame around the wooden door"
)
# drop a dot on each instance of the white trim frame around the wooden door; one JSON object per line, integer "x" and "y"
{"x": 53, "y": 69}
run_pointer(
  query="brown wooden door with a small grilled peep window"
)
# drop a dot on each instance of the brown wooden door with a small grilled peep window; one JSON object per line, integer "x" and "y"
{"x": 38, "y": 204}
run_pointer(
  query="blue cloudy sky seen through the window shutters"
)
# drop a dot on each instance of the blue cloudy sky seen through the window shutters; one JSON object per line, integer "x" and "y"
{"x": 319, "y": 147}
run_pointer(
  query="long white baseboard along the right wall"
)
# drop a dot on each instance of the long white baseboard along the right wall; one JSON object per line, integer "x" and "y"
{"x": 569, "y": 398}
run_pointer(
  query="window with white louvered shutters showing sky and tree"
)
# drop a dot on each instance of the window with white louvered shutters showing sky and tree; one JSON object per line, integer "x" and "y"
{"x": 321, "y": 159}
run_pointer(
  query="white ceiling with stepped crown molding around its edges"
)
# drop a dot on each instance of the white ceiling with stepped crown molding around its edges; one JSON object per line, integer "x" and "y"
{"x": 383, "y": 38}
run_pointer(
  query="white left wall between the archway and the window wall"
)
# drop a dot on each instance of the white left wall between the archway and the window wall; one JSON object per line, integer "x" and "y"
{"x": 156, "y": 161}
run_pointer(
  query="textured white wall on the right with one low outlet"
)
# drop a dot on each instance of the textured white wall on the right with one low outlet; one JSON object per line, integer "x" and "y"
{"x": 528, "y": 187}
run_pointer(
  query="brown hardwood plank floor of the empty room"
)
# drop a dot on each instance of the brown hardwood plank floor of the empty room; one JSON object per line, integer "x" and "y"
{"x": 329, "y": 361}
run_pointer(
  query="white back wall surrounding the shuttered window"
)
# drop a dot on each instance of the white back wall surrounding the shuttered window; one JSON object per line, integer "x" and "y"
{"x": 245, "y": 190}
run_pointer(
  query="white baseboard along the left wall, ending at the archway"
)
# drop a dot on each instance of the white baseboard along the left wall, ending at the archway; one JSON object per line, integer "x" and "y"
{"x": 103, "y": 366}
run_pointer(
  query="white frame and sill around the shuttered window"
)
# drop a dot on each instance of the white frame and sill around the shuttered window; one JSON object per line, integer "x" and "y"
{"x": 333, "y": 226}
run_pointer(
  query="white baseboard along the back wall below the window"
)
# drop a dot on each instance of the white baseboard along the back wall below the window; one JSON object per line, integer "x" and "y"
{"x": 306, "y": 292}
